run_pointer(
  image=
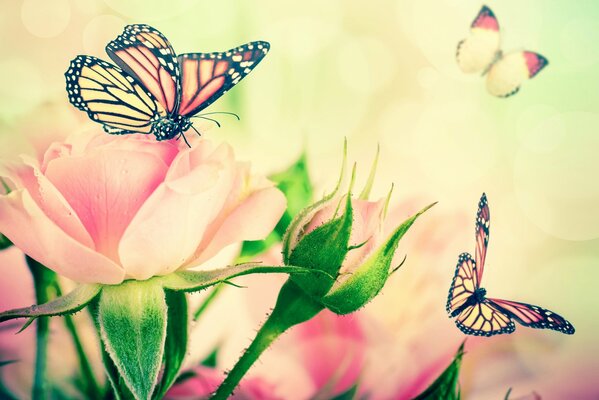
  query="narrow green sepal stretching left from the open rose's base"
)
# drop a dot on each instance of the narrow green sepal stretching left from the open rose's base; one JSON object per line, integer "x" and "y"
{"x": 67, "y": 304}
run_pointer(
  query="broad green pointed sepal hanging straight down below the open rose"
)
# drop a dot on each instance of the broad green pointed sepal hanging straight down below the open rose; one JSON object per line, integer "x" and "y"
{"x": 132, "y": 318}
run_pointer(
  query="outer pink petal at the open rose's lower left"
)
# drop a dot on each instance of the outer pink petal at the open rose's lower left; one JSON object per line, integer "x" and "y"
{"x": 26, "y": 225}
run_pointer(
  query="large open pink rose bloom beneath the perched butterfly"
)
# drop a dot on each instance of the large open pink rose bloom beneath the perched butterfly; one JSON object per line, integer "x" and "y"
{"x": 100, "y": 209}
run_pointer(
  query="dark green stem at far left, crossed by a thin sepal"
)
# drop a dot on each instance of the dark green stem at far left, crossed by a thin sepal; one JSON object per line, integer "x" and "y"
{"x": 43, "y": 281}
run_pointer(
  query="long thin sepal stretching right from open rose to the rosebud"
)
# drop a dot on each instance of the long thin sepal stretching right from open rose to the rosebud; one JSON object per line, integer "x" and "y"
{"x": 193, "y": 281}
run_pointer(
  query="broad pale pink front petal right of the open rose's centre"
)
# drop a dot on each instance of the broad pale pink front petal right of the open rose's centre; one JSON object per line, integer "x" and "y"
{"x": 169, "y": 227}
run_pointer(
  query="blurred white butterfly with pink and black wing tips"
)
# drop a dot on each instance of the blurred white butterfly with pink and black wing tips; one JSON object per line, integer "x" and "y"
{"x": 480, "y": 52}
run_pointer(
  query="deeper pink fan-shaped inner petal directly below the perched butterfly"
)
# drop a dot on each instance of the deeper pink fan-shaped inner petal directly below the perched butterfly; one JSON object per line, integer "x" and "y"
{"x": 106, "y": 188}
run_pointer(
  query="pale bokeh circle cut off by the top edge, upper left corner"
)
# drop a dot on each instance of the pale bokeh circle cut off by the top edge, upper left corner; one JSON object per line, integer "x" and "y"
{"x": 45, "y": 19}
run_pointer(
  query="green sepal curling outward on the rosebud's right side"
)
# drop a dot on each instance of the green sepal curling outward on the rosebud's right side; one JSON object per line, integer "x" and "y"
{"x": 369, "y": 278}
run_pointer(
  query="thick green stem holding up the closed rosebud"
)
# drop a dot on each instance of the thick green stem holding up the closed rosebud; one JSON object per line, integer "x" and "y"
{"x": 293, "y": 307}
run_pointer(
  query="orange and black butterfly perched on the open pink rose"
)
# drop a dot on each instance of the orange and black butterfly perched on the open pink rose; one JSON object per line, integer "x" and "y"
{"x": 152, "y": 90}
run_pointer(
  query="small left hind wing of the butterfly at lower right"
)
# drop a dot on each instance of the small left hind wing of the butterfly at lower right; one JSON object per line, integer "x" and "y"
{"x": 464, "y": 283}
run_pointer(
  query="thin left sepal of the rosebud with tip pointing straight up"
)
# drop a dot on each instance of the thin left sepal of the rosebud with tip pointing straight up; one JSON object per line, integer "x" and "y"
{"x": 303, "y": 217}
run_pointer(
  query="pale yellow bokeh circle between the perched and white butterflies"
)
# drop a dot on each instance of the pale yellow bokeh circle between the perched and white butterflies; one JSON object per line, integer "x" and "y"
{"x": 365, "y": 64}
